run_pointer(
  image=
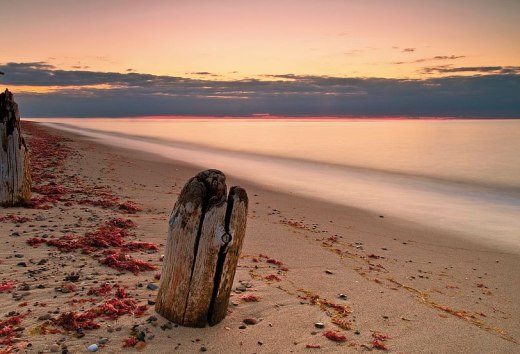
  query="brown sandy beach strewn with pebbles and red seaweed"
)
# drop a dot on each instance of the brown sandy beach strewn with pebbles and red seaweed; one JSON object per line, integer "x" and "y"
{"x": 408, "y": 288}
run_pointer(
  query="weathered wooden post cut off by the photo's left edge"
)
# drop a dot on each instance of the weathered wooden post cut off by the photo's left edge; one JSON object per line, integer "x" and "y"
{"x": 15, "y": 176}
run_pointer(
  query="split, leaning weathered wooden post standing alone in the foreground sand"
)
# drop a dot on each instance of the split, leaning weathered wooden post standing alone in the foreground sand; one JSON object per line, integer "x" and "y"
{"x": 205, "y": 235}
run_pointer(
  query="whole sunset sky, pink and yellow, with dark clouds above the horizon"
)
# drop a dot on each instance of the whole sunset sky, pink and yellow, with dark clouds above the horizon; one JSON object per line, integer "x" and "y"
{"x": 280, "y": 57}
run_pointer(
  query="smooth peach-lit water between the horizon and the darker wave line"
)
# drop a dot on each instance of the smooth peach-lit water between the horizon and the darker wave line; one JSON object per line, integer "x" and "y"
{"x": 470, "y": 150}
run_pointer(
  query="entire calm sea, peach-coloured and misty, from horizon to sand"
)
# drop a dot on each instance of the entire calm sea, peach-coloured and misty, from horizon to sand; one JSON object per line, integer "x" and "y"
{"x": 461, "y": 175}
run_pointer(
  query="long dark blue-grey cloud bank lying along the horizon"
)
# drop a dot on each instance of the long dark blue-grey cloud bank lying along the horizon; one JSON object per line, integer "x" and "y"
{"x": 491, "y": 92}
